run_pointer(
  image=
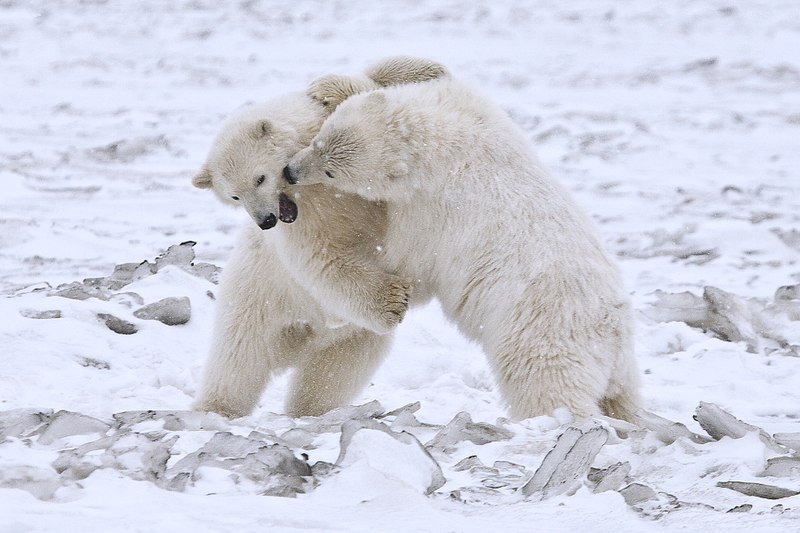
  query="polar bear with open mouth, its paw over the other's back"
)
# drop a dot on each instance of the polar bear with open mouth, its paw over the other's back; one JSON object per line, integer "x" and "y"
{"x": 308, "y": 294}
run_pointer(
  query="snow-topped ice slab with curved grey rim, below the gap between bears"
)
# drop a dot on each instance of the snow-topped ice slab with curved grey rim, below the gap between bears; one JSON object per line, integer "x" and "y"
{"x": 403, "y": 458}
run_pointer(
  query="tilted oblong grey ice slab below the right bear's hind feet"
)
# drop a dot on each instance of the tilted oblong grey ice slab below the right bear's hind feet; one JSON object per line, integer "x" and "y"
{"x": 564, "y": 467}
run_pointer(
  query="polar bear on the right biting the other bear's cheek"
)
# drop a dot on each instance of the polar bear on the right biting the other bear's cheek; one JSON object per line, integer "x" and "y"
{"x": 516, "y": 264}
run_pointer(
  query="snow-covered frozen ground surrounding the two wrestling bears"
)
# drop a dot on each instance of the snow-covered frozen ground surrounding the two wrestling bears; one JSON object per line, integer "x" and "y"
{"x": 675, "y": 124}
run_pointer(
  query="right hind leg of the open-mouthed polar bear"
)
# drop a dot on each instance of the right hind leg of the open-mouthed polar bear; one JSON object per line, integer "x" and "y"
{"x": 331, "y": 376}
